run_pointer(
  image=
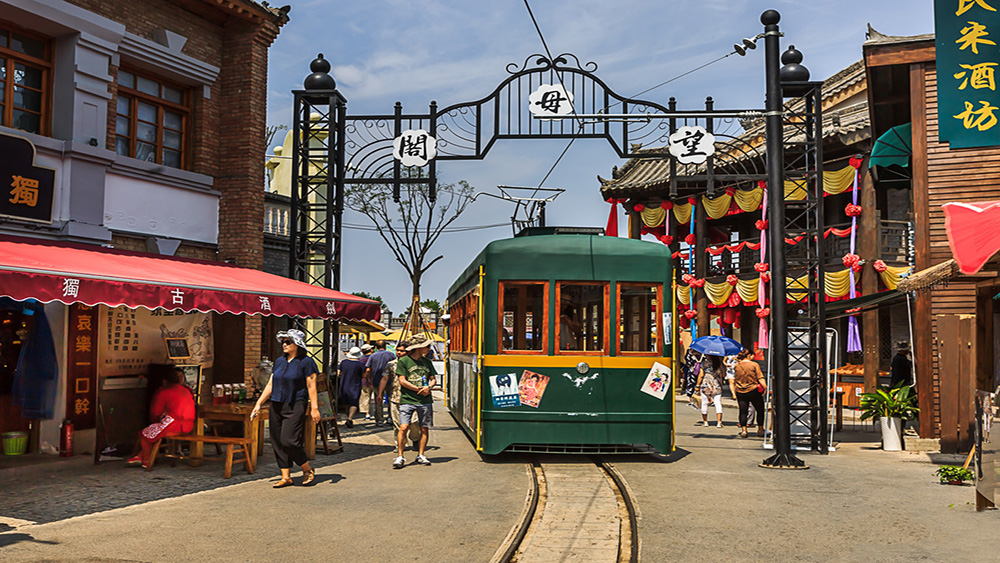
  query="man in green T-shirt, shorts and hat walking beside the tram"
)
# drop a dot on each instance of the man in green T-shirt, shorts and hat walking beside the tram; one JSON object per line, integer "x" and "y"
{"x": 416, "y": 376}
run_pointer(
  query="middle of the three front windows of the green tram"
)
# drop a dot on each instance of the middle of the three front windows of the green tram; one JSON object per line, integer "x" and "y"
{"x": 581, "y": 317}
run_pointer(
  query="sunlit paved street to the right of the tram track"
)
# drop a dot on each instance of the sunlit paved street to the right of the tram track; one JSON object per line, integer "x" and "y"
{"x": 710, "y": 501}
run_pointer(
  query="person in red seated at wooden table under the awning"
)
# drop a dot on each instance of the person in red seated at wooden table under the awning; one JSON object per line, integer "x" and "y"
{"x": 170, "y": 413}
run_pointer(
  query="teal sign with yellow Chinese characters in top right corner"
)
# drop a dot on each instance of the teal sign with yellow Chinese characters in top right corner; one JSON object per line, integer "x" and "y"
{"x": 966, "y": 33}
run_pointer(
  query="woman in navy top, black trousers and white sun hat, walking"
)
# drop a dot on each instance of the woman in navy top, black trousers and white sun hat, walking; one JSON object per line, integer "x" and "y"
{"x": 293, "y": 379}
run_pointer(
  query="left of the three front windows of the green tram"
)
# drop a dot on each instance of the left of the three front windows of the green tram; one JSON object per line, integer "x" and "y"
{"x": 523, "y": 319}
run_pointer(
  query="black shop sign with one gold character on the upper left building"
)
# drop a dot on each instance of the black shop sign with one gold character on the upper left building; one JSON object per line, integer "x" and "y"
{"x": 27, "y": 188}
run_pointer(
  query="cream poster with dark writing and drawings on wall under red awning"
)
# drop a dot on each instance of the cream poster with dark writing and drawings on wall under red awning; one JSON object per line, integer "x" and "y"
{"x": 131, "y": 339}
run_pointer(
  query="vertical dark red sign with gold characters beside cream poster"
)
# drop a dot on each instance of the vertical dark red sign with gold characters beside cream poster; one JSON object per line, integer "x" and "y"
{"x": 81, "y": 385}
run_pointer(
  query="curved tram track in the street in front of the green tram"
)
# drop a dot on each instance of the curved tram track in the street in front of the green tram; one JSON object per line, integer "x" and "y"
{"x": 574, "y": 511}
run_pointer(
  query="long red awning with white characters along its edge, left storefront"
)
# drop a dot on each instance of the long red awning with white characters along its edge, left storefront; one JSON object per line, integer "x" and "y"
{"x": 80, "y": 273}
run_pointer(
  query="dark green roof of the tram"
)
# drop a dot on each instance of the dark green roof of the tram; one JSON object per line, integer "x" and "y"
{"x": 569, "y": 257}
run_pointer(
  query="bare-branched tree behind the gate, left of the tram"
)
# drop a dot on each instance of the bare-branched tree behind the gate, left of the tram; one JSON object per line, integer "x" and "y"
{"x": 411, "y": 227}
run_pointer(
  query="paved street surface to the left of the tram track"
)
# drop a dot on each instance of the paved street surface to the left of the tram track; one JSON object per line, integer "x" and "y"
{"x": 458, "y": 509}
